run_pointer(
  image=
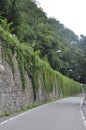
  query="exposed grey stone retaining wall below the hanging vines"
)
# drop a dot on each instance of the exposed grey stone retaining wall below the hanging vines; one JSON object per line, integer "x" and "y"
{"x": 11, "y": 95}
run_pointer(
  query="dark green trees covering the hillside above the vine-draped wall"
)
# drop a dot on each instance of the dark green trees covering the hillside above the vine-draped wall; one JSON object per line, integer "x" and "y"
{"x": 31, "y": 25}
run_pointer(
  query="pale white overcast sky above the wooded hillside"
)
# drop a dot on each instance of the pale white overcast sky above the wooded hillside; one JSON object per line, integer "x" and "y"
{"x": 71, "y": 13}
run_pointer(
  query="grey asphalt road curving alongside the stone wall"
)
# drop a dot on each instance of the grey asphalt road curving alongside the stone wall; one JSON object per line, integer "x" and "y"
{"x": 64, "y": 114}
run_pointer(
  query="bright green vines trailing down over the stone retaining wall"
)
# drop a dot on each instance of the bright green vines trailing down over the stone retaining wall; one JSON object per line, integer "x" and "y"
{"x": 30, "y": 63}
